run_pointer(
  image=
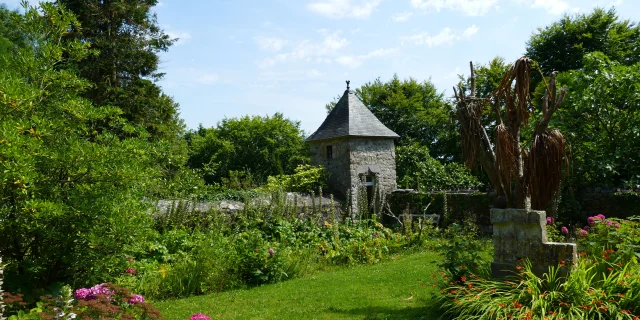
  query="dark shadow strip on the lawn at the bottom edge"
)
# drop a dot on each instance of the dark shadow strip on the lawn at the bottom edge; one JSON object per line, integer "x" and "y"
{"x": 427, "y": 312}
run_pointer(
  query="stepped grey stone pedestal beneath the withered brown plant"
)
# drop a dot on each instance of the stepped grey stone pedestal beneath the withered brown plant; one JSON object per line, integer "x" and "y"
{"x": 521, "y": 234}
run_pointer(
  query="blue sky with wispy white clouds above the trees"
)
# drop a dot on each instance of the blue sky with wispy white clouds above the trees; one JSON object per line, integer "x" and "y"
{"x": 258, "y": 57}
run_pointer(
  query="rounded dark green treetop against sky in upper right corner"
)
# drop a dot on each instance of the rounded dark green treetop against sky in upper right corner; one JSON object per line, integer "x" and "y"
{"x": 562, "y": 45}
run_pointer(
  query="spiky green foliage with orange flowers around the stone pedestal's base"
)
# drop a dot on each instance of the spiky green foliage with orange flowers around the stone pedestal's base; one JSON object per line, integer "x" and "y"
{"x": 605, "y": 283}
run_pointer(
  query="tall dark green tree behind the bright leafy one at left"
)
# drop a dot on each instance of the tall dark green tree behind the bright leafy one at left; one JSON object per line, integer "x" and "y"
{"x": 127, "y": 40}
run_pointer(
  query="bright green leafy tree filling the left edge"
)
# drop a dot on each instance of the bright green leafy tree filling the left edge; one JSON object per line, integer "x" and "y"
{"x": 70, "y": 194}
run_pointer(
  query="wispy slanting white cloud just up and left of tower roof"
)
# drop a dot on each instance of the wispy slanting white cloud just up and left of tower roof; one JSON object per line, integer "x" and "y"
{"x": 308, "y": 50}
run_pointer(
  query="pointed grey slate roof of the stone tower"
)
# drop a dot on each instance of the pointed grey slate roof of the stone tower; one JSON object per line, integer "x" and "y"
{"x": 351, "y": 118}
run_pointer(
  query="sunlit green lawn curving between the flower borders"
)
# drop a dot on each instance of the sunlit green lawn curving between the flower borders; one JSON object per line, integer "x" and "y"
{"x": 379, "y": 291}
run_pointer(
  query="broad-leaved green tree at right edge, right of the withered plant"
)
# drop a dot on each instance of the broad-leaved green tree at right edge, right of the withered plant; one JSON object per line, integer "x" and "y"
{"x": 601, "y": 120}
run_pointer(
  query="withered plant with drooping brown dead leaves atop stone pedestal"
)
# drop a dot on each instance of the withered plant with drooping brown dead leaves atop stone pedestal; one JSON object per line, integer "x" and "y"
{"x": 527, "y": 173}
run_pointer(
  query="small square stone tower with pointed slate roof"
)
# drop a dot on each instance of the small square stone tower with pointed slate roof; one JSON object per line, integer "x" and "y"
{"x": 357, "y": 150}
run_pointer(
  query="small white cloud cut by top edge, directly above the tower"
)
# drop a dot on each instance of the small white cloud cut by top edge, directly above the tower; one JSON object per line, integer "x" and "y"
{"x": 337, "y": 9}
